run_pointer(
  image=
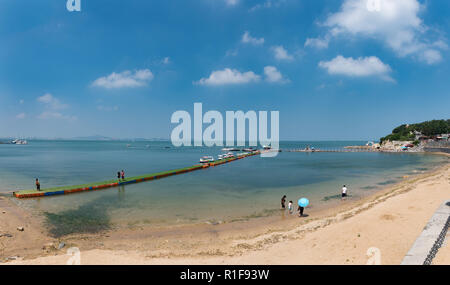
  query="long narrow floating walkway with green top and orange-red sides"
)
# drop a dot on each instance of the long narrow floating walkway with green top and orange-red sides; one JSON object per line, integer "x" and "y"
{"x": 115, "y": 183}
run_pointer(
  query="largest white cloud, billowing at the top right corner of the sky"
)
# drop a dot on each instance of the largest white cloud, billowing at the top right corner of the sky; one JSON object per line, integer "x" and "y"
{"x": 394, "y": 22}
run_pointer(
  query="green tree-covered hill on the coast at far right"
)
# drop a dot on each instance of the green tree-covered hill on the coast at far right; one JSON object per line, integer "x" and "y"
{"x": 407, "y": 132}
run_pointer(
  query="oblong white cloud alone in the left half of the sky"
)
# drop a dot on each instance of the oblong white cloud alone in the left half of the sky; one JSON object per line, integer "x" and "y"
{"x": 123, "y": 79}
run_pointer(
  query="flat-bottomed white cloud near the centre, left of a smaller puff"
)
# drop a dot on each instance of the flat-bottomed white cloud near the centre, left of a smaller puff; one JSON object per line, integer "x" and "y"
{"x": 228, "y": 76}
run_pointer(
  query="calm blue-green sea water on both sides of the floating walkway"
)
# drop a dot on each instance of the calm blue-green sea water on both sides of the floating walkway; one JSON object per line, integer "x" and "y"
{"x": 246, "y": 188}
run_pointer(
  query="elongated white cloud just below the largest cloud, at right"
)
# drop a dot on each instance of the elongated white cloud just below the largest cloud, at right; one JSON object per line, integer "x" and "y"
{"x": 360, "y": 67}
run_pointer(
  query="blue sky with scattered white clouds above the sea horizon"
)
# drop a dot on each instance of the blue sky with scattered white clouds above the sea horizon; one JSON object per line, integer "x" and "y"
{"x": 333, "y": 69}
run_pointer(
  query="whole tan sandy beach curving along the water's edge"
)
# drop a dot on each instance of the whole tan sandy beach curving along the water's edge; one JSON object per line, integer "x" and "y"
{"x": 389, "y": 221}
